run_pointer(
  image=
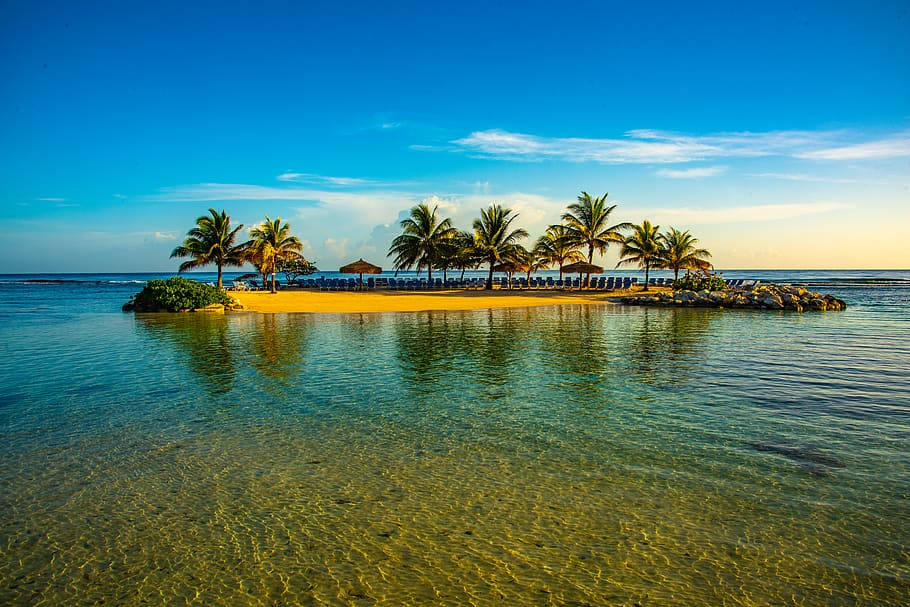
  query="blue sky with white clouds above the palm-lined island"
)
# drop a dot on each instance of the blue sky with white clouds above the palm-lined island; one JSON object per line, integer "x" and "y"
{"x": 778, "y": 133}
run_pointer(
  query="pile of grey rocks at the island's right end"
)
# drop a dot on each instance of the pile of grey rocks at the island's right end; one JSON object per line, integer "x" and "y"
{"x": 763, "y": 297}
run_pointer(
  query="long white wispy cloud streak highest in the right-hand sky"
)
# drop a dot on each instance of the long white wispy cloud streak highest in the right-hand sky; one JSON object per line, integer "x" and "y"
{"x": 649, "y": 146}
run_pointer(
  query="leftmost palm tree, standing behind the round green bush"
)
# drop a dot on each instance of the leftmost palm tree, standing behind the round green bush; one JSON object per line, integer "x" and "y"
{"x": 212, "y": 241}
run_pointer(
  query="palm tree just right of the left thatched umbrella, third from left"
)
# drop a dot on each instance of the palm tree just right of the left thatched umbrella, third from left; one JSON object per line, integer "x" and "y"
{"x": 422, "y": 240}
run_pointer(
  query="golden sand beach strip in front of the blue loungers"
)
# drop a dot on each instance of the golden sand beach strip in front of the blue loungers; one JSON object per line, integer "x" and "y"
{"x": 345, "y": 302}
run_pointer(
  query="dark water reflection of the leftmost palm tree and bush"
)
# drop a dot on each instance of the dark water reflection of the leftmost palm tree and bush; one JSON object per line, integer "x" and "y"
{"x": 203, "y": 342}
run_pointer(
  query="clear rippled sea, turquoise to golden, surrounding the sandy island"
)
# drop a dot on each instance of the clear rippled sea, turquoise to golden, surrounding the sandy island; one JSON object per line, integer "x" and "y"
{"x": 574, "y": 455}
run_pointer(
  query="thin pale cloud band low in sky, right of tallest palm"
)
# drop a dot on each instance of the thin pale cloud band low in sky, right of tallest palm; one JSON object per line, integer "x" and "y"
{"x": 737, "y": 214}
